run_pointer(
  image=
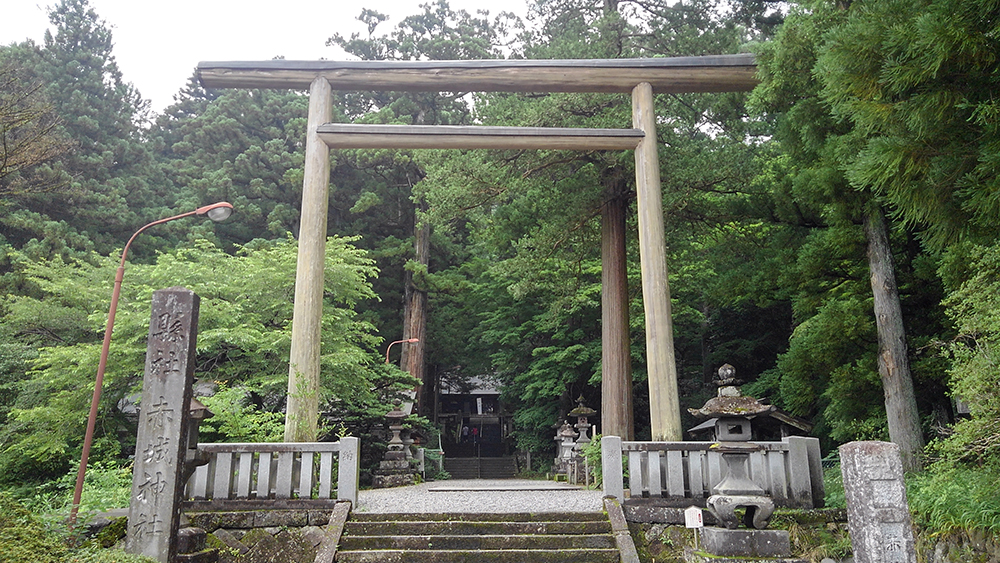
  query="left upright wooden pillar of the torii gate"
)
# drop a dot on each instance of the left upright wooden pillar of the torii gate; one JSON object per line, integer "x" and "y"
{"x": 302, "y": 410}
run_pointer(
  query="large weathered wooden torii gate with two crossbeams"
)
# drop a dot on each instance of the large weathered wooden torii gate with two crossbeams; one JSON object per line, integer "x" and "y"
{"x": 638, "y": 77}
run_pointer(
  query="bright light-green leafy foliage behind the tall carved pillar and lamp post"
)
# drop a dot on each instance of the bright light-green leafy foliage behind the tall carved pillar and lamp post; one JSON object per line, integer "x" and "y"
{"x": 243, "y": 340}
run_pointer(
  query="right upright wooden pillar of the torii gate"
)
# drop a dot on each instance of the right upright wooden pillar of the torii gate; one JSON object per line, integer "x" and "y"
{"x": 664, "y": 406}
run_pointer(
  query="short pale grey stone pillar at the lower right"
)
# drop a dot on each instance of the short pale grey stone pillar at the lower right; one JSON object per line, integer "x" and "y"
{"x": 877, "y": 512}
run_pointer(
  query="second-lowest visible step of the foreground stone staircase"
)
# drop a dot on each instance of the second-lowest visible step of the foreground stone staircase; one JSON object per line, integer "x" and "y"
{"x": 490, "y": 542}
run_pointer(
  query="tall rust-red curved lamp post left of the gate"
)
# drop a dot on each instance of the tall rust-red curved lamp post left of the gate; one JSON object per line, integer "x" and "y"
{"x": 216, "y": 212}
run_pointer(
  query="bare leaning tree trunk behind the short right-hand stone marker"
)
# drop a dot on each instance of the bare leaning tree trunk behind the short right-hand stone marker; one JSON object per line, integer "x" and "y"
{"x": 893, "y": 361}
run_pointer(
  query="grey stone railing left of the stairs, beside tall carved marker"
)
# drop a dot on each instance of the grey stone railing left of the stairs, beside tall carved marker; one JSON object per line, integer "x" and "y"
{"x": 303, "y": 472}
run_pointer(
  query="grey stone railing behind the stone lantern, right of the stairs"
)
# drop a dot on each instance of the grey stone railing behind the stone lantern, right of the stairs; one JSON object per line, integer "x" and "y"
{"x": 790, "y": 470}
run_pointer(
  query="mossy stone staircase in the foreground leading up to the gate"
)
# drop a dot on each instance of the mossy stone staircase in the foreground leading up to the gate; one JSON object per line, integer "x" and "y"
{"x": 483, "y": 538}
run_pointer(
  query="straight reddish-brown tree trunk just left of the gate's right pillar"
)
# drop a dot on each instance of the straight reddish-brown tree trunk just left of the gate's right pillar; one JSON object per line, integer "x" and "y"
{"x": 616, "y": 361}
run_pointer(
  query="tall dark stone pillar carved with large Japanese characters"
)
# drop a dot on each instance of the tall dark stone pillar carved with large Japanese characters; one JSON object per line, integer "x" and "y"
{"x": 157, "y": 484}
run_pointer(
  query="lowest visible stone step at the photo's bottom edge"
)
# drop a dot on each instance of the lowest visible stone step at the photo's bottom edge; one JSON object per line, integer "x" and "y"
{"x": 483, "y": 556}
